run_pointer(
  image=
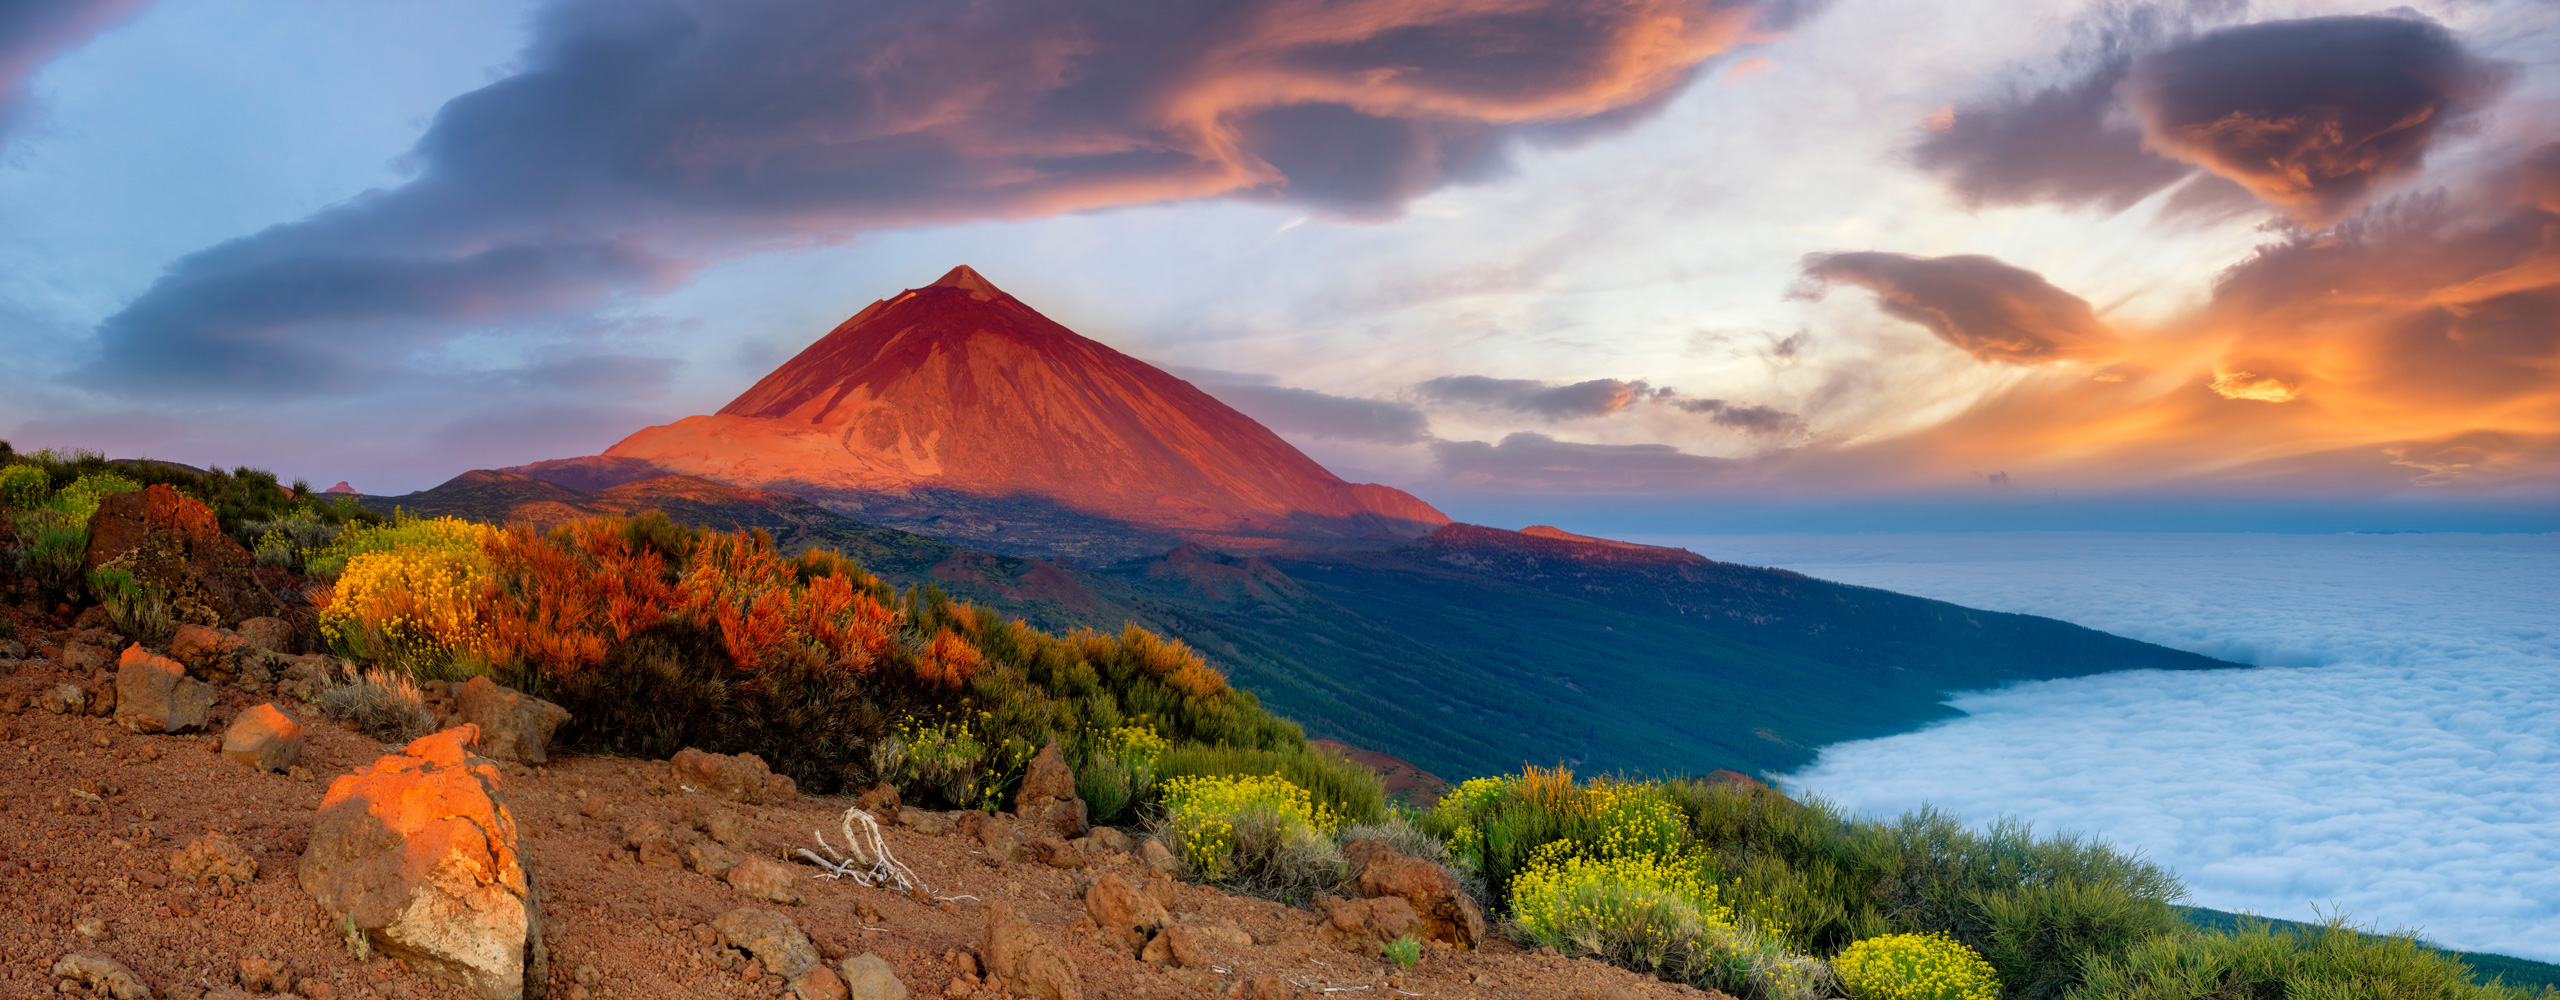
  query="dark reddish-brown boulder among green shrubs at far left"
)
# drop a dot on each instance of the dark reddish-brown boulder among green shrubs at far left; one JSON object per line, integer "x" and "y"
{"x": 175, "y": 546}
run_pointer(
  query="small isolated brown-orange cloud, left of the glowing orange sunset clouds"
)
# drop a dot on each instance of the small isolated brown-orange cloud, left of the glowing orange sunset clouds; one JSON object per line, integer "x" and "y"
{"x": 1985, "y": 308}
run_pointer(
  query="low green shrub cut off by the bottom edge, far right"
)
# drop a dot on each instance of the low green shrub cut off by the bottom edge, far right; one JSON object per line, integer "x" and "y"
{"x": 2323, "y": 963}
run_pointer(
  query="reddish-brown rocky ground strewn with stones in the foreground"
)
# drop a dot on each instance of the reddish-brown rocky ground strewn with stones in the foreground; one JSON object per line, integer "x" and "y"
{"x": 180, "y": 863}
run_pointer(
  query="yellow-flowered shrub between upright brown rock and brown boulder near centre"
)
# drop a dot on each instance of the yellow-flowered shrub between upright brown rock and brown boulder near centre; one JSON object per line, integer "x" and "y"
{"x": 1251, "y": 835}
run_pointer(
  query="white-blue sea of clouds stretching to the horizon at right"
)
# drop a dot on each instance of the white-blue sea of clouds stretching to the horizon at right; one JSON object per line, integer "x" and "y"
{"x": 2395, "y": 751}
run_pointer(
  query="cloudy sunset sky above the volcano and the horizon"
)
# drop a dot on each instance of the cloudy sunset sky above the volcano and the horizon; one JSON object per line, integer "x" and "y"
{"x": 1632, "y": 265}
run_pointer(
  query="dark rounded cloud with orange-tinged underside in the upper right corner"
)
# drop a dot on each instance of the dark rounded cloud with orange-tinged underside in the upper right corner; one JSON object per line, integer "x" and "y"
{"x": 2310, "y": 114}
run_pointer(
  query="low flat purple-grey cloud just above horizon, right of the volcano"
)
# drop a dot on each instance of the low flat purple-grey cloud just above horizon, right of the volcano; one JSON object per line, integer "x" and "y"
{"x": 1524, "y": 462}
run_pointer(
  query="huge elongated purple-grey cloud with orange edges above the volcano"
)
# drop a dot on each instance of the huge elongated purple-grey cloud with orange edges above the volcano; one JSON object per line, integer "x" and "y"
{"x": 641, "y": 137}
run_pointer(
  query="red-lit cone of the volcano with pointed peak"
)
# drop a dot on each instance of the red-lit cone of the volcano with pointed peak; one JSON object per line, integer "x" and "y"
{"x": 956, "y": 410}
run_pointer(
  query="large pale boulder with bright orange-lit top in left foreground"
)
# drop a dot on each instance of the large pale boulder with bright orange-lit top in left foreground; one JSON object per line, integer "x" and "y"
{"x": 419, "y": 853}
